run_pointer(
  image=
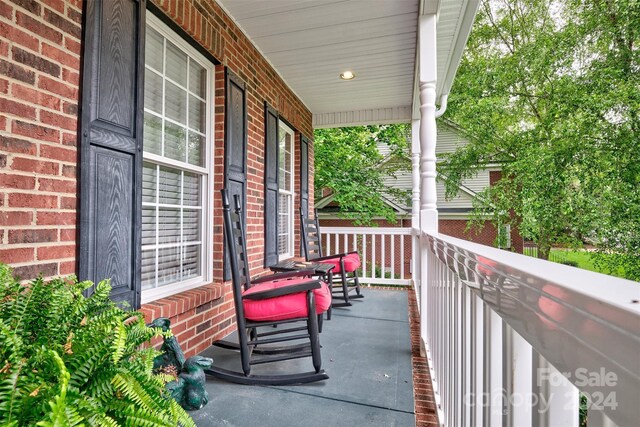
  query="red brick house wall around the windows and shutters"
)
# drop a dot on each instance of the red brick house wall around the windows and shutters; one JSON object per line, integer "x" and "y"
{"x": 39, "y": 87}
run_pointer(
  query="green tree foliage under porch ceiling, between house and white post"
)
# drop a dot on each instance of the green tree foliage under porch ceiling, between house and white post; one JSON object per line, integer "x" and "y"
{"x": 348, "y": 163}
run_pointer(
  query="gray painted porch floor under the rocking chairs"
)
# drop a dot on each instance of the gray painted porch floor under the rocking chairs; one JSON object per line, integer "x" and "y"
{"x": 366, "y": 351}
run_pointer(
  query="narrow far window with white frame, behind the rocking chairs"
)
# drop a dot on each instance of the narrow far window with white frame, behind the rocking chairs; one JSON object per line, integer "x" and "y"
{"x": 285, "y": 191}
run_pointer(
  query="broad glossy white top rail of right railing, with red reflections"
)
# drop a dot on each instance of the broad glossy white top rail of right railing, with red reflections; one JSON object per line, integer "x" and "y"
{"x": 584, "y": 323}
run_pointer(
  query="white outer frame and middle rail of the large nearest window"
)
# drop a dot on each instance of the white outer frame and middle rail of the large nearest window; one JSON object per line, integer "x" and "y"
{"x": 206, "y": 252}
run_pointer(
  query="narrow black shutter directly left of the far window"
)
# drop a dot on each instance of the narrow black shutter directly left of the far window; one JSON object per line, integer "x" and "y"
{"x": 270, "y": 186}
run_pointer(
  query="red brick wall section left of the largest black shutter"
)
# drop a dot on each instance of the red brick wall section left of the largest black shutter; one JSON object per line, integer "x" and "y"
{"x": 39, "y": 82}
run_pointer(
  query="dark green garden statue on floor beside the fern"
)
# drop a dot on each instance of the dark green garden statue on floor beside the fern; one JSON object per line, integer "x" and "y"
{"x": 188, "y": 389}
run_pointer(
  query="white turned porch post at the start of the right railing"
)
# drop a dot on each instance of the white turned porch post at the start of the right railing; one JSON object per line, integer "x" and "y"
{"x": 428, "y": 134}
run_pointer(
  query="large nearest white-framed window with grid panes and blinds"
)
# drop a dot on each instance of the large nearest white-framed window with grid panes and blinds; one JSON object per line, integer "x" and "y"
{"x": 176, "y": 170}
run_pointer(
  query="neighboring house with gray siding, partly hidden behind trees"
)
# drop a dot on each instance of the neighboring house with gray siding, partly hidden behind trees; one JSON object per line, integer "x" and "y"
{"x": 453, "y": 214}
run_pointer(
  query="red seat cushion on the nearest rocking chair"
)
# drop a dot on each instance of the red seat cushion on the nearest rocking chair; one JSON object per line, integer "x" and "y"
{"x": 287, "y": 306}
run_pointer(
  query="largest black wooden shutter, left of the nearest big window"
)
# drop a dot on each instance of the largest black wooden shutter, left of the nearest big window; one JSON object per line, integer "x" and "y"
{"x": 111, "y": 145}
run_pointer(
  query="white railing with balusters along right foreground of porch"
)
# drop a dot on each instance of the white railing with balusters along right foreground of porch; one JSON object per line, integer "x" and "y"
{"x": 513, "y": 340}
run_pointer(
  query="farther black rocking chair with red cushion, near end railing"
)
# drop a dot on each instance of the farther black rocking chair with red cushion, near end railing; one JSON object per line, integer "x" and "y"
{"x": 343, "y": 278}
